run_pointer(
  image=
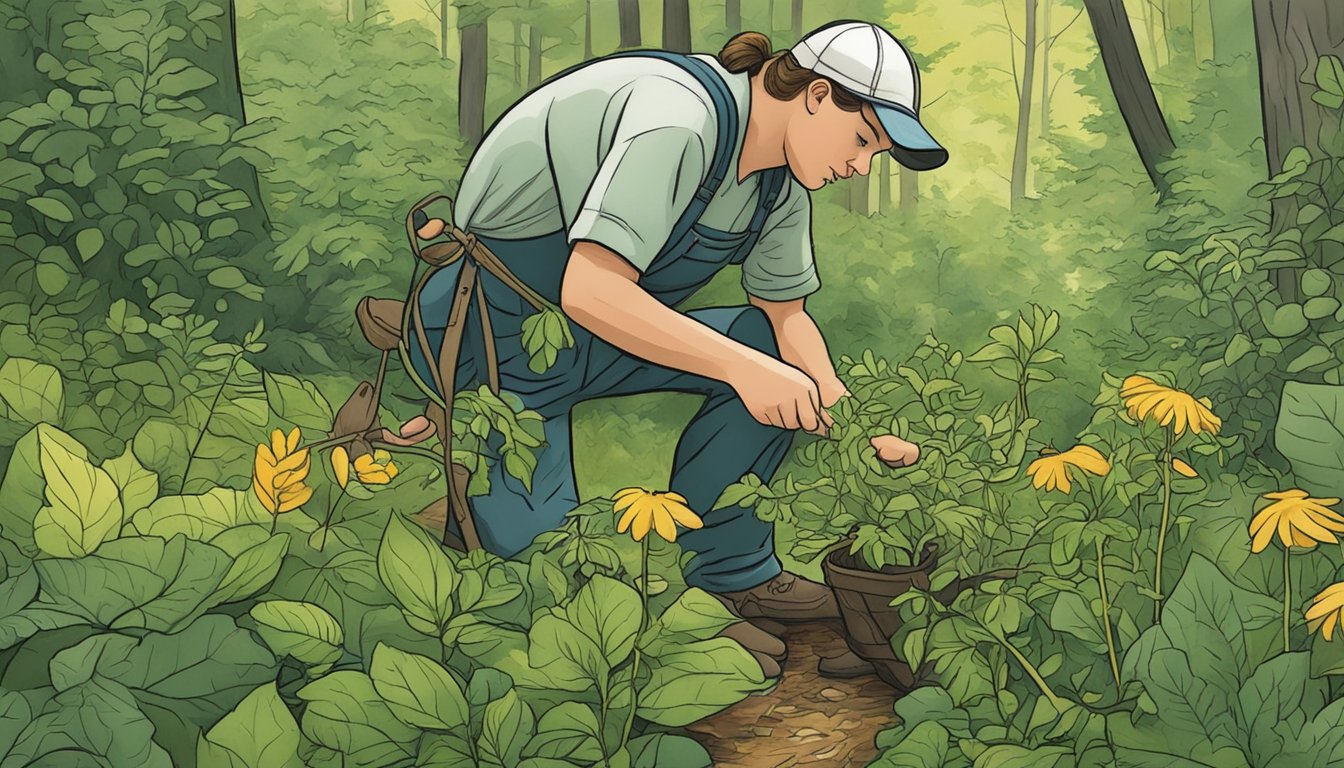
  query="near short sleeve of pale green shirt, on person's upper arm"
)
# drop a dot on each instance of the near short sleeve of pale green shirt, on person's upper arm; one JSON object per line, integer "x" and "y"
{"x": 647, "y": 180}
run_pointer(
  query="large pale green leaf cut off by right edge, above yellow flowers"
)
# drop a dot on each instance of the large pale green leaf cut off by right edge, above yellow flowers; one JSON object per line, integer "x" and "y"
{"x": 1311, "y": 434}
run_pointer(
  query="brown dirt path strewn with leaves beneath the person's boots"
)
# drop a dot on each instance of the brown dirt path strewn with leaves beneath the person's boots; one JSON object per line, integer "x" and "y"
{"x": 807, "y": 720}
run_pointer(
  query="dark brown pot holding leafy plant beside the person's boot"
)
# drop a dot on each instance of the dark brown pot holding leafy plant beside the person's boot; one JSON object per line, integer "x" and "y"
{"x": 865, "y": 599}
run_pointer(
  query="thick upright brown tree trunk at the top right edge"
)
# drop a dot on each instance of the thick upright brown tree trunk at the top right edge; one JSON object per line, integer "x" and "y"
{"x": 1291, "y": 38}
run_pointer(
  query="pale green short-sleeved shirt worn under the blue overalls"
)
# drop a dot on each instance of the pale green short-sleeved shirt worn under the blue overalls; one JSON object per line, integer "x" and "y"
{"x": 614, "y": 154}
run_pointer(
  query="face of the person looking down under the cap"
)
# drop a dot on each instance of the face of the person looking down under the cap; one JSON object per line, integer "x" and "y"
{"x": 825, "y": 143}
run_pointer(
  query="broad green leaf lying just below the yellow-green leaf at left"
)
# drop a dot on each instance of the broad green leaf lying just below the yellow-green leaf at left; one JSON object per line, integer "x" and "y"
{"x": 136, "y": 582}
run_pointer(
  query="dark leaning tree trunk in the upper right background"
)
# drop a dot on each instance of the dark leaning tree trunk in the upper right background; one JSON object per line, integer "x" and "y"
{"x": 1130, "y": 83}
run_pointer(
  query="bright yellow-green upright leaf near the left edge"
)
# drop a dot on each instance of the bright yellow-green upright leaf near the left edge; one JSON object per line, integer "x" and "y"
{"x": 84, "y": 508}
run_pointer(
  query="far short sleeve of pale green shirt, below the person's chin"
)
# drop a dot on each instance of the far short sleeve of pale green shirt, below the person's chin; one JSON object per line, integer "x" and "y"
{"x": 782, "y": 268}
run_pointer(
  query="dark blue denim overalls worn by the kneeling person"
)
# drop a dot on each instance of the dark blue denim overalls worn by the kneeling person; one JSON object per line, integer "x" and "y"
{"x": 734, "y": 549}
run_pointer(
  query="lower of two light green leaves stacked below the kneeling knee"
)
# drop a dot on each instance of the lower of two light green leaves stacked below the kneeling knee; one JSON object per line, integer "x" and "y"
{"x": 419, "y": 691}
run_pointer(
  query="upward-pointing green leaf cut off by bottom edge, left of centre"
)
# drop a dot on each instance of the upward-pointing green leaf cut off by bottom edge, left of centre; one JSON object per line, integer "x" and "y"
{"x": 259, "y": 734}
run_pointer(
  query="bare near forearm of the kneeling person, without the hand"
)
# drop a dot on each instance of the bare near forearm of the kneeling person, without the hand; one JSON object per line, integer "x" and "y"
{"x": 620, "y": 313}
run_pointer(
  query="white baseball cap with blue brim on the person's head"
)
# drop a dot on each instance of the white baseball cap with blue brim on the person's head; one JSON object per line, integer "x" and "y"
{"x": 869, "y": 63}
